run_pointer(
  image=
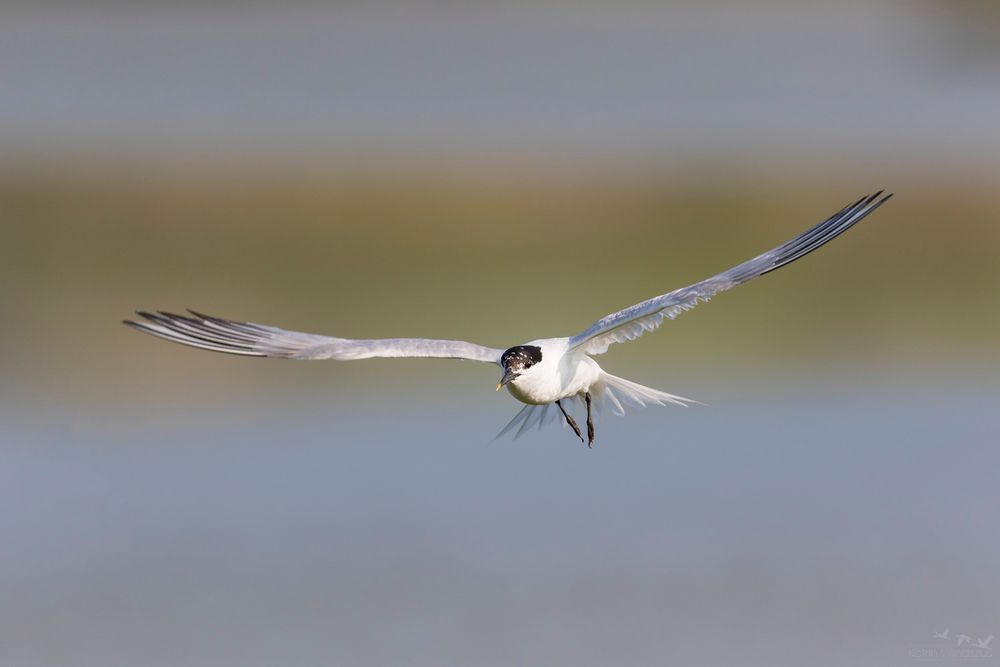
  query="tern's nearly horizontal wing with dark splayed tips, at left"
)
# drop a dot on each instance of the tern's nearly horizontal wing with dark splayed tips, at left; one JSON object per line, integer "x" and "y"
{"x": 258, "y": 340}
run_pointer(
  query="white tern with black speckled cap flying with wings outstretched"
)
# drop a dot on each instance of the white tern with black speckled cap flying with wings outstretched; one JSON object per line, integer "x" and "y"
{"x": 539, "y": 373}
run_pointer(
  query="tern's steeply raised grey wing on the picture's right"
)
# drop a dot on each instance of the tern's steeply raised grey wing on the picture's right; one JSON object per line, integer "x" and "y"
{"x": 632, "y": 322}
